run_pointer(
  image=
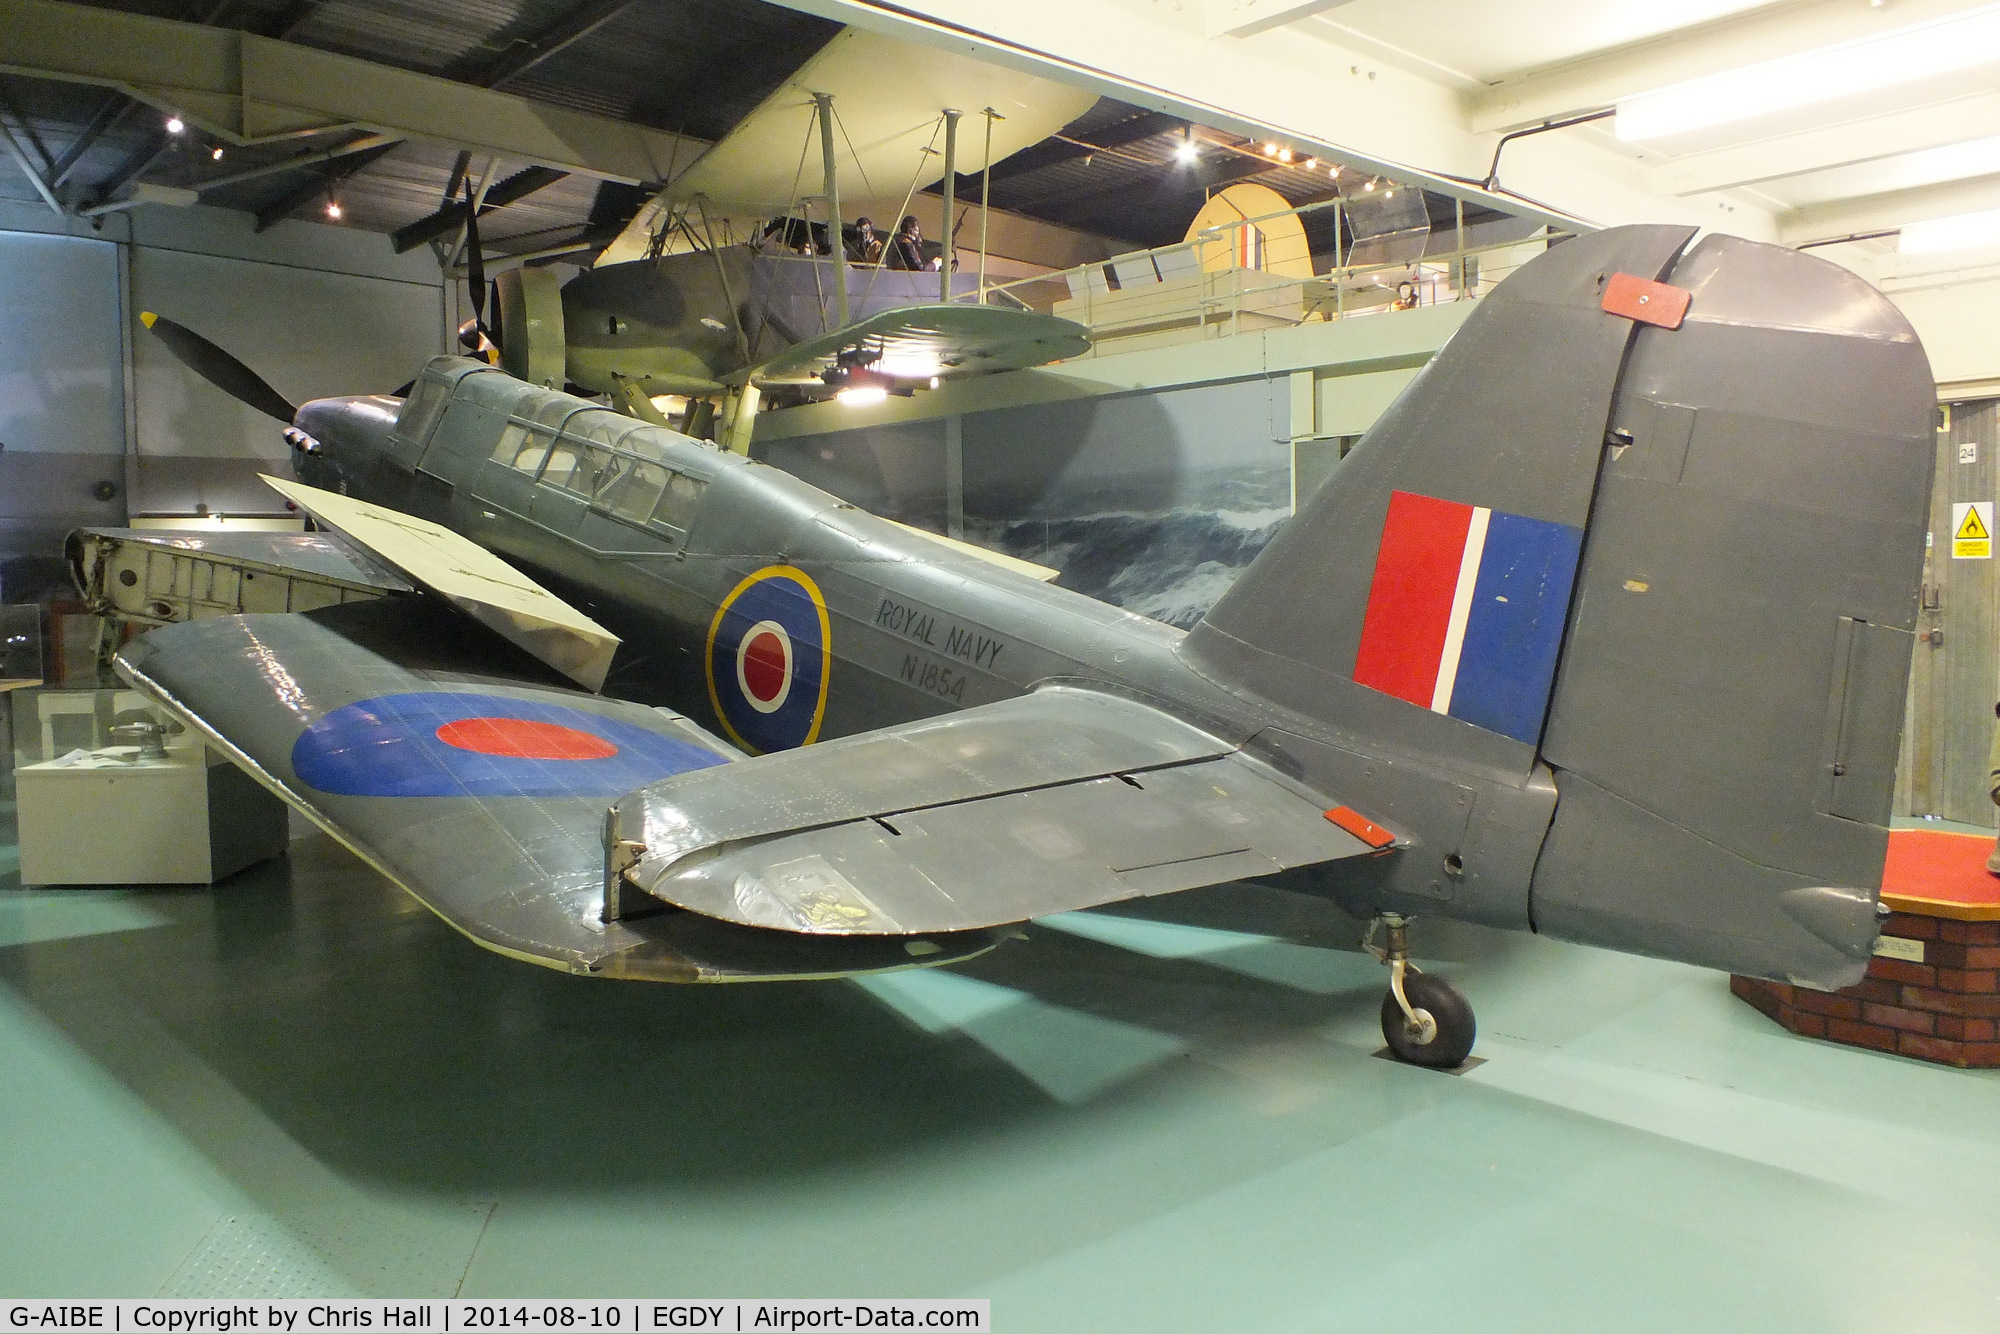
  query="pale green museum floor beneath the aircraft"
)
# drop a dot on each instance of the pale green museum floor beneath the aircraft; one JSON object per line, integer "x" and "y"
{"x": 305, "y": 1085}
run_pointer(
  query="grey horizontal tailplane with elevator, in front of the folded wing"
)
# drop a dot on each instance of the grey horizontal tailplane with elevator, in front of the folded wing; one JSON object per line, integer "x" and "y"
{"x": 1057, "y": 801}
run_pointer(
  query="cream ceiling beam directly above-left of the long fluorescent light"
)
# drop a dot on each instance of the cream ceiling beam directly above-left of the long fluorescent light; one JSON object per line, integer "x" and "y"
{"x": 1605, "y": 79}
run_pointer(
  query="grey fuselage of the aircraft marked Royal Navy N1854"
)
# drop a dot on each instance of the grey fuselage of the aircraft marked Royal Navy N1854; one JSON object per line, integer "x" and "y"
{"x": 781, "y": 615}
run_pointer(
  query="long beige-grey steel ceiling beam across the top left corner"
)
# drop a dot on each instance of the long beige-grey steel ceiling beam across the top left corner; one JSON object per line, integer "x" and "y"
{"x": 245, "y": 89}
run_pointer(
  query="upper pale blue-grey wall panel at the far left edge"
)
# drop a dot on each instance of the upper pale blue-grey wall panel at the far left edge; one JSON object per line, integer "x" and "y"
{"x": 61, "y": 365}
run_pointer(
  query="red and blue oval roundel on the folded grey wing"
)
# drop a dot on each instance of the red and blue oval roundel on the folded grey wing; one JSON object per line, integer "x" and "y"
{"x": 445, "y": 743}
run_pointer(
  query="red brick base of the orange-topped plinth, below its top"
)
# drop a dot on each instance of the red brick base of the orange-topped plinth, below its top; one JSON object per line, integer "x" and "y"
{"x": 1943, "y": 1009}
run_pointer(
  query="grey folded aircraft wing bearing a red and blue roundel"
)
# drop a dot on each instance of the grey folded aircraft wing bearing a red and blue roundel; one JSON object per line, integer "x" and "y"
{"x": 467, "y": 773}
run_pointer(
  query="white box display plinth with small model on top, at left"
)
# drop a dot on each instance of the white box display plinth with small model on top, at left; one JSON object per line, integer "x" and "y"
{"x": 109, "y": 815}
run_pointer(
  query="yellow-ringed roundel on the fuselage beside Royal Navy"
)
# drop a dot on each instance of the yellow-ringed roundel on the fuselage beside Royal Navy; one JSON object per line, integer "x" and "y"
{"x": 769, "y": 661}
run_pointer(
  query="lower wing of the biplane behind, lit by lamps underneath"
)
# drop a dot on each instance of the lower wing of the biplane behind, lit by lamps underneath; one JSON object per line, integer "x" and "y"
{"x": 955, "y": 339}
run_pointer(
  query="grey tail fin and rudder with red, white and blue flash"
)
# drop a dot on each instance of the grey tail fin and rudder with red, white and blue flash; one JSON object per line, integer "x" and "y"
{"x": 1649, "y": 527}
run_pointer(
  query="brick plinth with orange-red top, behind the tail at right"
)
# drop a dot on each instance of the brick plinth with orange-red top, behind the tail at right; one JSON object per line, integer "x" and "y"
{"x": 1933, "y": 989}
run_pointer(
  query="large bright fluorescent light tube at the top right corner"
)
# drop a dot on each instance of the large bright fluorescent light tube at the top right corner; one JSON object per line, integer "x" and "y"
{"x": 1825, "y": 75}
